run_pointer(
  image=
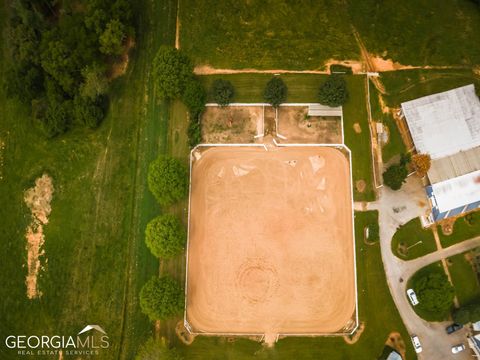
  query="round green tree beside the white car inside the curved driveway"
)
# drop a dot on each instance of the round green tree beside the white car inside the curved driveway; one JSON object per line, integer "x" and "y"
{"x": 435, "y": 293}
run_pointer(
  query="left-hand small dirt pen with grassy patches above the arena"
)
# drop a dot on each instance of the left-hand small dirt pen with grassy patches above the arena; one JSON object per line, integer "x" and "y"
{"x": 231, "y": 124}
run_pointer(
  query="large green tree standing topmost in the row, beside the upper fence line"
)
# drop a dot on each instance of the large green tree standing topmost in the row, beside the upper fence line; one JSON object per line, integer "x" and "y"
{"x": 172, "y": 71}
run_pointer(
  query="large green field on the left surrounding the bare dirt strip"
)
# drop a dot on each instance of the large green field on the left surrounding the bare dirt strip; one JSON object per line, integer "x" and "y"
{"x": 97, "y": 260}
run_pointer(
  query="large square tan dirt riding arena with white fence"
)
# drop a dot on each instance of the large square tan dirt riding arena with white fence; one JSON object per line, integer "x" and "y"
{"x": 270, "y": 244}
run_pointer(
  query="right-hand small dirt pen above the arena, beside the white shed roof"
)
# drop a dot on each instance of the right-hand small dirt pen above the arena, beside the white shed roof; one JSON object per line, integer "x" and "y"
{"x": 297, "y": 128}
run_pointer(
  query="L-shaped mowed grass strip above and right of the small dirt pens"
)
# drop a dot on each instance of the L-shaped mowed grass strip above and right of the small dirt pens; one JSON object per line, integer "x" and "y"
{"x": 304, "y": 88}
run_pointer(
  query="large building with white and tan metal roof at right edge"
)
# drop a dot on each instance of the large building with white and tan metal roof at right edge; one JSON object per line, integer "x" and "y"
{"x": 447, "y": 127}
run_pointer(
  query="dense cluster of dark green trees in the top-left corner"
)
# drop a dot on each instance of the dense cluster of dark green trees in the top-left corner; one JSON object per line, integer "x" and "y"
{"x": 60, "y": 54}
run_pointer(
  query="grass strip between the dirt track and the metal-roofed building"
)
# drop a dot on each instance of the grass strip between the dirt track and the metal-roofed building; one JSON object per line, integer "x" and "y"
{"x": 405, "y": 85}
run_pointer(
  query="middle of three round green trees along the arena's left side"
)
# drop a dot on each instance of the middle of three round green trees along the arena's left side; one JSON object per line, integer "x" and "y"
{"x": 165, "y": 236}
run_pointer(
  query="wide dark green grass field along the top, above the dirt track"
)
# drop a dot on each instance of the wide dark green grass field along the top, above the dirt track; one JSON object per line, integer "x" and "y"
{"x": 281, "y": 35}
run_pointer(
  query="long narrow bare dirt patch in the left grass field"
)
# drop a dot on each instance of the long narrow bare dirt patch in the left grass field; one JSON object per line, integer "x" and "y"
{"x": 38, "y": 200}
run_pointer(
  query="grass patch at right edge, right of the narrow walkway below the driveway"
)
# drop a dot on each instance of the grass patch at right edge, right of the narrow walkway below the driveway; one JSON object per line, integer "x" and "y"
{"x": 464, "y": 279}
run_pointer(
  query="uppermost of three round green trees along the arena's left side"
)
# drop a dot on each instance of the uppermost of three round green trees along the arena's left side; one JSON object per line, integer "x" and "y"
{"x": 167, "y": 180}
